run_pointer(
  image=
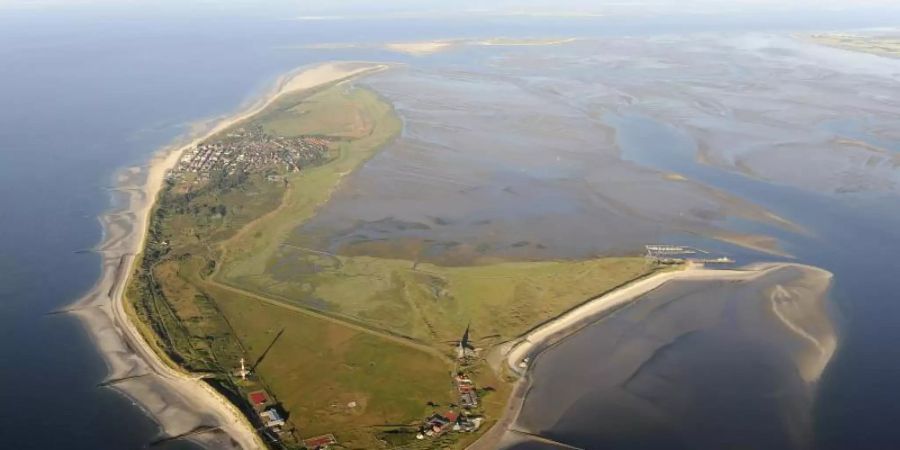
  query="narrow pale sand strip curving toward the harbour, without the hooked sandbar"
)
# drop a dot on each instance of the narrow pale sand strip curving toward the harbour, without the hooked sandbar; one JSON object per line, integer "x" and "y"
{"x": 511, "y": 354}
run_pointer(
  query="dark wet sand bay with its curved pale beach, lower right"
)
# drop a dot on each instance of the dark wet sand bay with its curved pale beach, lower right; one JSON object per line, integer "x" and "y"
{"x": 699, "y": 359}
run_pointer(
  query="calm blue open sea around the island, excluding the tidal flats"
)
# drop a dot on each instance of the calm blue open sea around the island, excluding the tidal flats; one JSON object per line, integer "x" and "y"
{"x": 83, "y": 94}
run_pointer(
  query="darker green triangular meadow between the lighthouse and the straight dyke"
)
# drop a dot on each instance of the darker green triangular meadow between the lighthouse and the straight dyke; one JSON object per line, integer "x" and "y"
{"x": 332, "y": 378}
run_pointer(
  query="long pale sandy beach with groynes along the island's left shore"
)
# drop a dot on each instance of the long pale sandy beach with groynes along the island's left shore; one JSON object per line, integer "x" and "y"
{"x": 180, "y": 402}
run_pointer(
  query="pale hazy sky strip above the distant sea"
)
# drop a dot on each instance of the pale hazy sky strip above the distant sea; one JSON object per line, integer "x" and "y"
{"x": 830, "y": 14}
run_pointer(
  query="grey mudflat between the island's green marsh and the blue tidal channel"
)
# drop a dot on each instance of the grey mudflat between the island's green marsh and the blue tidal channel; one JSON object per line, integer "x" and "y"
{"x": 487, "y": 168}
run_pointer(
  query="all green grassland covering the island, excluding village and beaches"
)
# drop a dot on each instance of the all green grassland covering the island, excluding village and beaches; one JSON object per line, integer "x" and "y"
{"x": 217, "y": 282}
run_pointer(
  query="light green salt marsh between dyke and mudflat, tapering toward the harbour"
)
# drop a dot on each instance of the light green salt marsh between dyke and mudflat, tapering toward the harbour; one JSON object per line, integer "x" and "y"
{"x": 434, "y": 303}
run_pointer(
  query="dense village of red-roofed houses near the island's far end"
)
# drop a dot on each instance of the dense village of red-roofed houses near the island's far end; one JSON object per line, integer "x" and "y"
{"x": 251, "y": 149}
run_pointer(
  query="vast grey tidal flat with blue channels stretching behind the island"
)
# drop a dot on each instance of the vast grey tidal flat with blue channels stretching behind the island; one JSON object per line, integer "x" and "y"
{"x": 602, "y": 145}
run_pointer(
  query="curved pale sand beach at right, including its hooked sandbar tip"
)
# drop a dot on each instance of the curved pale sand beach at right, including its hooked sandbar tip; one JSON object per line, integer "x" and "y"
{"x": 788, "y": 305}
